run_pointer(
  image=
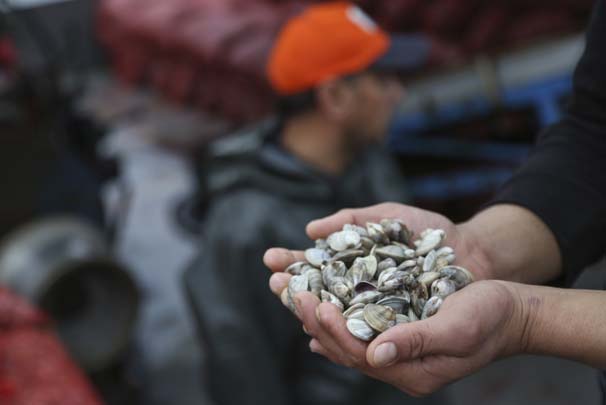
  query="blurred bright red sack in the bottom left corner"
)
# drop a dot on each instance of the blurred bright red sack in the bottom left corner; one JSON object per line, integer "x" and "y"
{"x": 34, "y": 367}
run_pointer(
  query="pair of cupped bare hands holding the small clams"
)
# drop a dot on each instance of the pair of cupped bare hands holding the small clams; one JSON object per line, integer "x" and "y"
{"x": 475, "y": 326}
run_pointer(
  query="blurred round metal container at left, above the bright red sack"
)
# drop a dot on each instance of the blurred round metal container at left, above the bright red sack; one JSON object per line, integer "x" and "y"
{"x": 64, "y": 266}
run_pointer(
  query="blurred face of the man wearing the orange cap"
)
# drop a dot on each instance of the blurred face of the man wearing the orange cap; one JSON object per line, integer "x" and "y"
{"x": 375, "y": 98}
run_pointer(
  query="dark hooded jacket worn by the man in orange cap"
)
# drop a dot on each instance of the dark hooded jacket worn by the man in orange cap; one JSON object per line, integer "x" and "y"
{"x": 262, "y": 197}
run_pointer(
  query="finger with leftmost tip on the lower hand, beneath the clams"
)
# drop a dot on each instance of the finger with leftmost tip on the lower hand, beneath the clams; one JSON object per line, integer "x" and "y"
{"x": 307, "y": 304}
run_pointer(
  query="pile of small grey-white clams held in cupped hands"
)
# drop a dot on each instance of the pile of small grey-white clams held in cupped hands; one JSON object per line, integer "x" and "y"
{"x": 378, "y": 275}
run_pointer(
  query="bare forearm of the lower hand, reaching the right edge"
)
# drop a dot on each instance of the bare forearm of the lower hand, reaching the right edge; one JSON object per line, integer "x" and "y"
{"x": 565, "y": 323}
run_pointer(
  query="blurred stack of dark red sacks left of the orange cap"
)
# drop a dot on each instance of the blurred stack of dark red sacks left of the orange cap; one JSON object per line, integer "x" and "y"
{"x": 209, "y": 53}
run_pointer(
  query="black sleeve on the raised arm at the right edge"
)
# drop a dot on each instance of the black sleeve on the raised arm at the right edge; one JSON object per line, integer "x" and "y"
{"x": 564, "y": 180}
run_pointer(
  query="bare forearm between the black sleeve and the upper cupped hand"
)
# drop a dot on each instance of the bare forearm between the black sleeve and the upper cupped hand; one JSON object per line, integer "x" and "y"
{"x": 516, "y": 244}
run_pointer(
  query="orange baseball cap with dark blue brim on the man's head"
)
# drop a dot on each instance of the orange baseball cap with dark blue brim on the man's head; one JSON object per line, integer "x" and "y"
{"x": 335, "y": 39}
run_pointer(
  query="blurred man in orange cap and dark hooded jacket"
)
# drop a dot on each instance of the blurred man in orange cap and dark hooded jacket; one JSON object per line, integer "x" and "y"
{"x": 334, "y": 72}
